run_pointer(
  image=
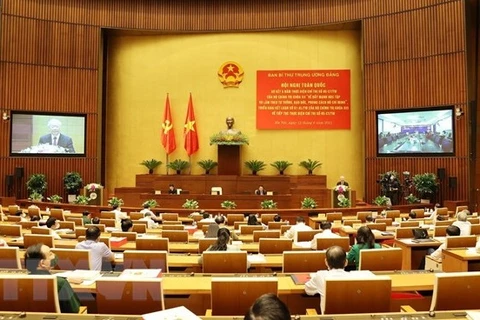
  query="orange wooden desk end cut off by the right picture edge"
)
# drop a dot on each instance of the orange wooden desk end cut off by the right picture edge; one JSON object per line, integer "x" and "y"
{"x": 459, "y": 260}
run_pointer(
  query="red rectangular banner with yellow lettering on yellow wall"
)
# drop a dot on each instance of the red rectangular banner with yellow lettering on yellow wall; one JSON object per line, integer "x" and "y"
{"x": 303, "y": 99}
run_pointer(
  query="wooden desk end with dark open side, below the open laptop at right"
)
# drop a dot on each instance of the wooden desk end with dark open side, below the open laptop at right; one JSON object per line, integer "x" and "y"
{"x": 413, "y": 253}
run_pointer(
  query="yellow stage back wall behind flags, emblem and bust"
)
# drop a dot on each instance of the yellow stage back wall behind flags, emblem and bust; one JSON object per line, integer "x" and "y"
{"x": 142, "y": 69}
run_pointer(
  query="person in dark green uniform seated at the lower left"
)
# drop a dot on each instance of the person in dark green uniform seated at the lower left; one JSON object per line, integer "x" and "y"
{"x": 39, "y": 260}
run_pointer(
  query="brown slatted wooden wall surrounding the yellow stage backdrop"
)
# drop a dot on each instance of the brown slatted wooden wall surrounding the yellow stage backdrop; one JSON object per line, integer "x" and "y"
{"x": 414, "y": 55}
